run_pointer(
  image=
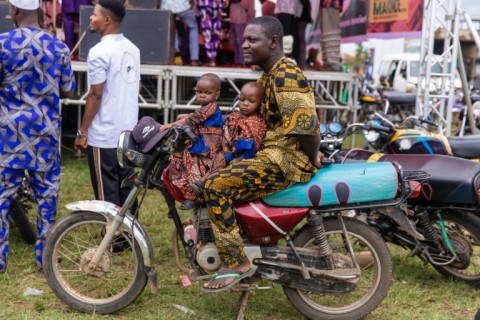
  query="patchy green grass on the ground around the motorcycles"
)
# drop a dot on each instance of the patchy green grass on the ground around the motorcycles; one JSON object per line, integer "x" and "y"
{"x": 417, "y": 292}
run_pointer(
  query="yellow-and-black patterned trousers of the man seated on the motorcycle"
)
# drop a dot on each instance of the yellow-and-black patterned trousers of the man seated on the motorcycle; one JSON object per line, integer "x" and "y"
{"x": 242, "y": 181}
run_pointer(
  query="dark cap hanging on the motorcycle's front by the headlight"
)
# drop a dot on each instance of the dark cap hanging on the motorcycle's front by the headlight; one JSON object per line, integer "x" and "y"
{"x": 146, "y": 133}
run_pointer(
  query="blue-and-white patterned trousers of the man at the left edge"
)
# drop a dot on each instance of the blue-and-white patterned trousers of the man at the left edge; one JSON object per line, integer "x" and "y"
{"x": 45, "y": 186}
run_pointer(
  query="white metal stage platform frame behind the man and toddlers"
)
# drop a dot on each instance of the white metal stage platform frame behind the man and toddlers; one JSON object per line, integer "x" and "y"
{"x": 169, "y": 89}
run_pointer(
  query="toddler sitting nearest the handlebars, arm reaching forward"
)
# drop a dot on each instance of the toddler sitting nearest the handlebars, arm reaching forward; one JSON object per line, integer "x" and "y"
{"x": 206, "y": 155}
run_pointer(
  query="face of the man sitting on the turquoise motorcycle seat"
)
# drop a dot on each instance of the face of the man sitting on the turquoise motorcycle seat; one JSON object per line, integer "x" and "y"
{"x": 256, "y": 45}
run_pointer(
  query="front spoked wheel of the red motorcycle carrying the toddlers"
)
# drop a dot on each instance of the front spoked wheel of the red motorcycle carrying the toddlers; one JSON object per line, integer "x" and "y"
{"x": 118, "y": 281}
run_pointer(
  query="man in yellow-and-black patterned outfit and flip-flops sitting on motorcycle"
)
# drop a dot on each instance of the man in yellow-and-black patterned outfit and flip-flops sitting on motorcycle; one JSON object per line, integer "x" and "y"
{"x": 289, "y": 152}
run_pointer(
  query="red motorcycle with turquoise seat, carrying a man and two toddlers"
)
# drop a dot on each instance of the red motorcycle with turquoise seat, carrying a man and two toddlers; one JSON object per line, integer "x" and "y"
{"x": 332, "y": 266}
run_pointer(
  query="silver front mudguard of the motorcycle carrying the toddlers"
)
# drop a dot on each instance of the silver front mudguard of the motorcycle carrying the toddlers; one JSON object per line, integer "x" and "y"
{"x": 109, "y": 211}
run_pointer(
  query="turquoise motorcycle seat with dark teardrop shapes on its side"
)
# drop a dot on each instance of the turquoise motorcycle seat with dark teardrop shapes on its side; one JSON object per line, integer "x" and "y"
{"x": 340, "y": 184}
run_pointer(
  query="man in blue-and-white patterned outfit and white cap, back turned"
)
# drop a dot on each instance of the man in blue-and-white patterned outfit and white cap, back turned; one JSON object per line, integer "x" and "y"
{"x": 35, "y": 73}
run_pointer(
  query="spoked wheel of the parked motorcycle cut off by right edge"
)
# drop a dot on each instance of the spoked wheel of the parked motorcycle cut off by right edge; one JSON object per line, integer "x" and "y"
{"x": 466, "y": 226}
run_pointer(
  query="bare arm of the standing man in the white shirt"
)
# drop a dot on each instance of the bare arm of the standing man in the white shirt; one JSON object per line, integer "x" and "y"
{"x": 94, "y": 100}
